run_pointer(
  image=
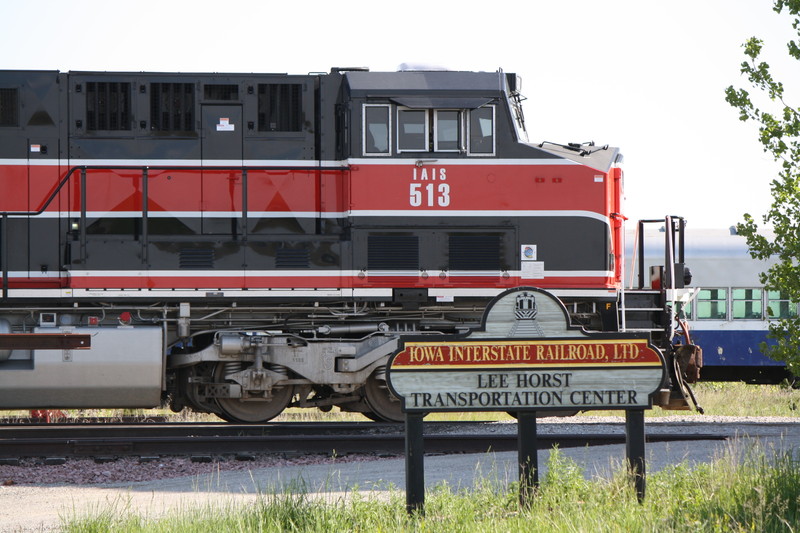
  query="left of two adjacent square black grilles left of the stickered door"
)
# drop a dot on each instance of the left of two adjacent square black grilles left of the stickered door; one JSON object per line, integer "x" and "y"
{"x": 108, "y": 106}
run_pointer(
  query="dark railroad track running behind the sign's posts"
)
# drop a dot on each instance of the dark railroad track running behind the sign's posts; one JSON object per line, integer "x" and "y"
{"x": 203, "y": 441}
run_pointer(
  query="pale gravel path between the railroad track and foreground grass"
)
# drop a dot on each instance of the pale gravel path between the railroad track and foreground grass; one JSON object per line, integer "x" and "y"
{"x": 35, "y": 497}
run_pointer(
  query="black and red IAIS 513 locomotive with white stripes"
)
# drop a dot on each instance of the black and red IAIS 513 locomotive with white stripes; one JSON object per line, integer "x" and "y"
{"x": 240, "y": 243}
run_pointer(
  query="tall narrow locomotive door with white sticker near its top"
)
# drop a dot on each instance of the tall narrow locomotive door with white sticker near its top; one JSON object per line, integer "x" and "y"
{"x": 223, "y": 186}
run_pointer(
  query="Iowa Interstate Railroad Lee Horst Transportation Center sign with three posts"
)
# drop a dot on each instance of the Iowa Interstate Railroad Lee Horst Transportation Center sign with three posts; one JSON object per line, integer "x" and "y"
{"x": 525, "y": 358}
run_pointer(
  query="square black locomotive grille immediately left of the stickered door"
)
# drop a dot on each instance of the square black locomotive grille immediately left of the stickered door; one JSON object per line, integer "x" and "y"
{"x": 172, "y": 107}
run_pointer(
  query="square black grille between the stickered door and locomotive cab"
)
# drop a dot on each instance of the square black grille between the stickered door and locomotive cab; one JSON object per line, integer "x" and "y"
{"x": 280, "y": 107}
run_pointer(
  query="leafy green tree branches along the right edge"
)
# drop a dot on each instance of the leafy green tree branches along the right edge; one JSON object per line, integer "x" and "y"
{"x": 779, "y": 133}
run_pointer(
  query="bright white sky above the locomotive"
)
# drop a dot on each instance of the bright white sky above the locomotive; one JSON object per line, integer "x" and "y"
{"x": 646, "y": 76}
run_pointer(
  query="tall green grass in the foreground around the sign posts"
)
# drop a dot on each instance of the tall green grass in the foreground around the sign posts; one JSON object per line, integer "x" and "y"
{"x": 742, "y": 491}
